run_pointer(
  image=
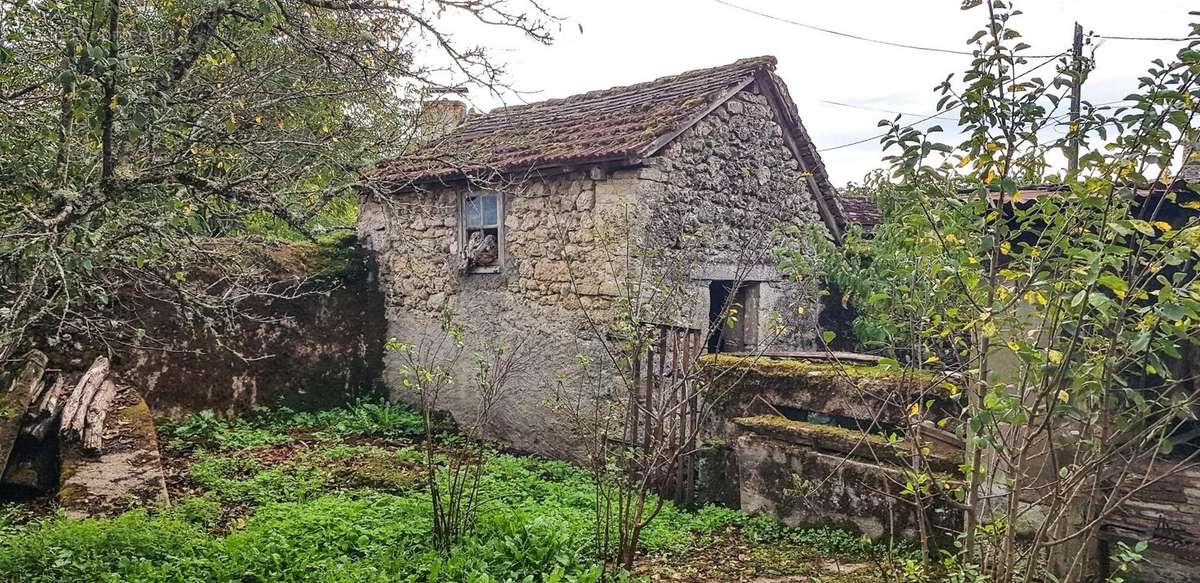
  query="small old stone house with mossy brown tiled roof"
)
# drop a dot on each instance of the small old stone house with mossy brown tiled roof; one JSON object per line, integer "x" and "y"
{"x": 533, "y": 224}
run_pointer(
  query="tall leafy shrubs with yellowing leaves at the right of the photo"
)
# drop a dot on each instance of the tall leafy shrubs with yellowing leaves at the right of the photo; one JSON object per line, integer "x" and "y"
{"x": 1066, "y": 311}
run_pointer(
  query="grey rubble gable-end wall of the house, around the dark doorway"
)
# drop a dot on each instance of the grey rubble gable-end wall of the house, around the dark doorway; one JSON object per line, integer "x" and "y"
{"x": 725, "y": 188}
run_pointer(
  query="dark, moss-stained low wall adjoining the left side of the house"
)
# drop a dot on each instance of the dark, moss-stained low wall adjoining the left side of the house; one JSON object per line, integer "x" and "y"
{"x": 315, "y": 351}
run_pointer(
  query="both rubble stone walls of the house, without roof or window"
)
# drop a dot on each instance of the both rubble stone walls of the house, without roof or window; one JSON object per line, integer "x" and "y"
{"x": 574, "y": 243}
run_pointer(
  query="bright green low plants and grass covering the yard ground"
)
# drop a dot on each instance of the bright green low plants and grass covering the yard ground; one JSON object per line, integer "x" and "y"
{"x": 338, "y": 497}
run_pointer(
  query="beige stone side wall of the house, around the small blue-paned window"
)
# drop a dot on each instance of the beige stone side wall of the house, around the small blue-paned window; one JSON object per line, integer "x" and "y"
{"x": 561, "y": 271}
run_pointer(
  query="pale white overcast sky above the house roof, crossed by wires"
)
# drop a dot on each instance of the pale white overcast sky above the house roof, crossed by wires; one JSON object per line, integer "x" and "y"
{"x": 631, "y": 41}
